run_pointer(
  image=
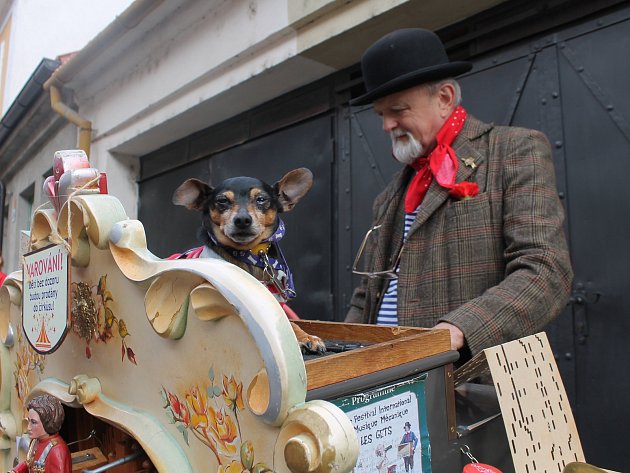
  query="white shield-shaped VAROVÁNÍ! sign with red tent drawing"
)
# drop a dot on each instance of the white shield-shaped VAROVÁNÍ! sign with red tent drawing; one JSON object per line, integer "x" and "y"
{"x": 45, "y": 297}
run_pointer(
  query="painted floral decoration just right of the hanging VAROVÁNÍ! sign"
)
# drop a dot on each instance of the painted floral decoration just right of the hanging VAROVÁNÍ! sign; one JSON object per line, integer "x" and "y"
{"x": 93, "y": 318}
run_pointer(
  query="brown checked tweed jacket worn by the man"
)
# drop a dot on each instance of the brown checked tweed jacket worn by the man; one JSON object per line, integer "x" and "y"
{"x": 497, "y": 265}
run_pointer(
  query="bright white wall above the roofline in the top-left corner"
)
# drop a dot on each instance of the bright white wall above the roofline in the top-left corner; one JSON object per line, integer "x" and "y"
{"x": 49, "y": 28}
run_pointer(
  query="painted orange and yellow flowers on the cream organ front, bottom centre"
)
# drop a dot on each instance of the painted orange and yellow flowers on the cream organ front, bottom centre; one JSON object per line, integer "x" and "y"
{"x": 211, "y": 414}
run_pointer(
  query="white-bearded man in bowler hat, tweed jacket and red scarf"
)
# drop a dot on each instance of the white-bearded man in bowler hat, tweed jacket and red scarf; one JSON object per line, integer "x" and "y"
{"x": 468, "y": 235}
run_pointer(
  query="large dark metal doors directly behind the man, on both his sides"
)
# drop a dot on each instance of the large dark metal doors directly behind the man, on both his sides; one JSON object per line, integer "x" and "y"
{"x": 572, "y": 85}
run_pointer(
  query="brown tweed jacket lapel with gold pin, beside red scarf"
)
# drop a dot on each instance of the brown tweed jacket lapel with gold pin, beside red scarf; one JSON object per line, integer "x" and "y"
{"x": 436, "y": 195}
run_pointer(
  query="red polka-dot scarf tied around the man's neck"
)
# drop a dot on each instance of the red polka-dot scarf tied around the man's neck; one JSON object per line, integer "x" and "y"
{"x": 442, "y": 162}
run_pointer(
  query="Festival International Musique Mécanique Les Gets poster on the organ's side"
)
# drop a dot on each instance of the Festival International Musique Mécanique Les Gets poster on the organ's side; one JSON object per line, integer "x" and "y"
{"x": 390, "y": 423}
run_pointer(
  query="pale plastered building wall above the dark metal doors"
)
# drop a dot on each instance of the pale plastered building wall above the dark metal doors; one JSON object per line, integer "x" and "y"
{"x": 185, "y": 67}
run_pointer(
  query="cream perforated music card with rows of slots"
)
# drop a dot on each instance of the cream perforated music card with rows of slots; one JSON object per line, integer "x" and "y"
{"x": 541, "y": 430}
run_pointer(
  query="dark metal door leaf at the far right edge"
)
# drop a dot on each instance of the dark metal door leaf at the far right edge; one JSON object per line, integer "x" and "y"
{"x": 594, "y": 76}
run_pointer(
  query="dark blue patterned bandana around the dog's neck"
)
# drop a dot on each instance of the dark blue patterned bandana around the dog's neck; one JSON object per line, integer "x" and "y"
{"x": 281, "y": 283}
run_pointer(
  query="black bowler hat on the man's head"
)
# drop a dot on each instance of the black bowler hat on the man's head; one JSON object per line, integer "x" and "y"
{"x": 403, "y": 59}
